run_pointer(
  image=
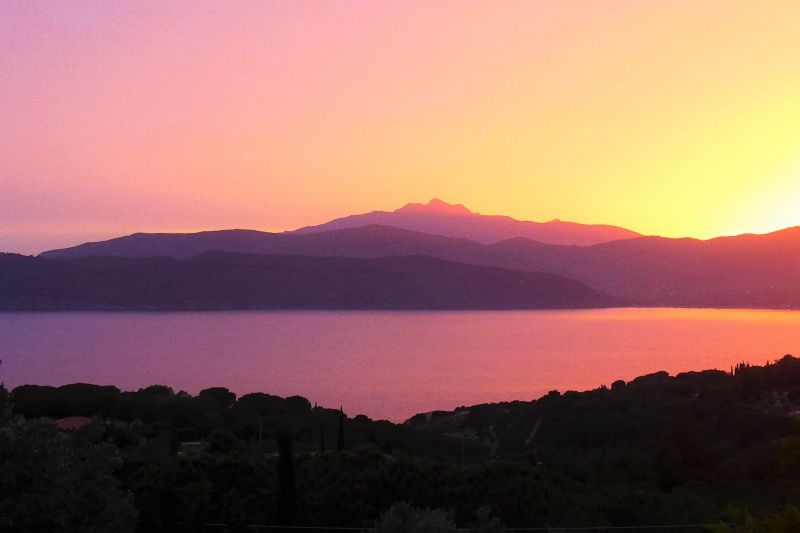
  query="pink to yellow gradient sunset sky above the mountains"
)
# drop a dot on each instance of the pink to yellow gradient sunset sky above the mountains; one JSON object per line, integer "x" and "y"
{"x": 677, "y": 118}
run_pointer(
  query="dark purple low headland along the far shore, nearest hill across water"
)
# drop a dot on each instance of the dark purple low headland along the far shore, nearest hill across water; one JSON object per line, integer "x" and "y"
{"x": 217, "y": 280}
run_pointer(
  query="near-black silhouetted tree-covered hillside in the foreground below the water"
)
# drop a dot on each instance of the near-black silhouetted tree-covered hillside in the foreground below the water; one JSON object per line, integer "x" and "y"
{"x": 700, "y": 447}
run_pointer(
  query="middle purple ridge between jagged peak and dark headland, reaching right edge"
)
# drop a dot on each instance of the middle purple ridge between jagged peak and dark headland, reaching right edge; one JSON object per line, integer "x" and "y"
{"x": 741, "y": 271}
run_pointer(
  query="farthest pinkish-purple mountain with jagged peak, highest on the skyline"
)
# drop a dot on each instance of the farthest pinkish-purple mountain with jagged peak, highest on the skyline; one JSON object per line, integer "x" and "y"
{"x": 440, "y": 218}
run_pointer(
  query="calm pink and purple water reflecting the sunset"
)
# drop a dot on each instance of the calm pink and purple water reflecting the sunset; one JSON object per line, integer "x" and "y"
{"x": 386, "y": 364}
